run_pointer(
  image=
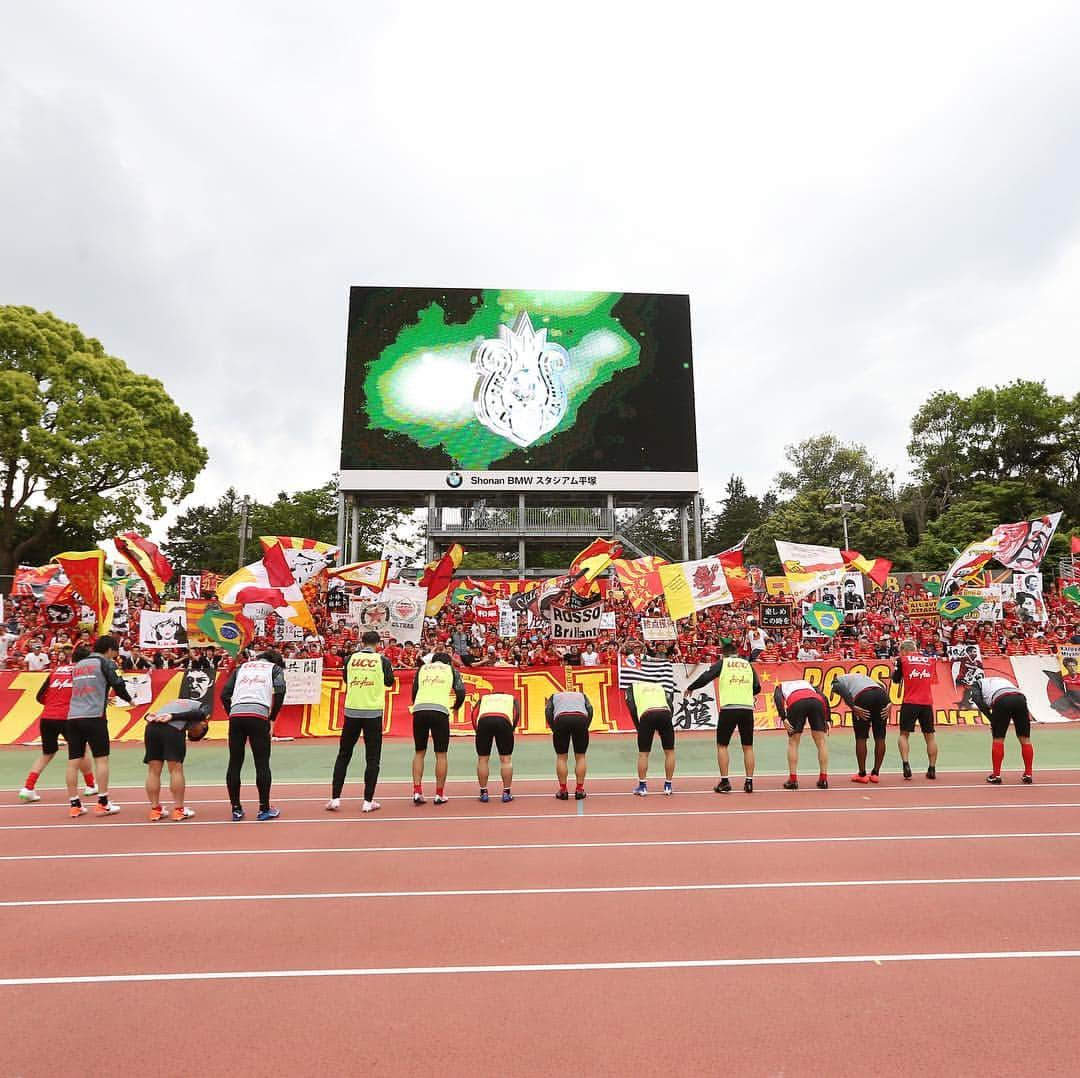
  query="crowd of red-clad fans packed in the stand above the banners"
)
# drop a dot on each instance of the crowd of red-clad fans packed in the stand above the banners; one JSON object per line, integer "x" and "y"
{"x": 30, "y": 642}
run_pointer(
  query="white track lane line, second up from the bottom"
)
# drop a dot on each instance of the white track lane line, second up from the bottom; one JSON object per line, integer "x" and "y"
{"x": 518, "y": 892}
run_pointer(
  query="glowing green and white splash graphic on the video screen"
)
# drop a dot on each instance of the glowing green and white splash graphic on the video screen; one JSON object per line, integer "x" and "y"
{"x": 424, "y": 385}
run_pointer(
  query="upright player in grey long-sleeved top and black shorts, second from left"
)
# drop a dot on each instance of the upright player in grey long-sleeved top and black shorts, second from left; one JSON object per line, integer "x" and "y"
{"x": 88, "y": 725}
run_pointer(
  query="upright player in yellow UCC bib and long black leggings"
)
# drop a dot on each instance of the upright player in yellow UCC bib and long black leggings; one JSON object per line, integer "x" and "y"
{"x": 368, "y": 677}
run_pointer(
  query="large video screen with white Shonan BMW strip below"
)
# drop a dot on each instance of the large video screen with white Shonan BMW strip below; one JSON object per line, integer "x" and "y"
{"x": 490, "y": 389}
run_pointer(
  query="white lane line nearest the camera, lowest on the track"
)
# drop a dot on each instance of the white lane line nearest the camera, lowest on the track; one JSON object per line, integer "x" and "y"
{"x": 960, "y": 956}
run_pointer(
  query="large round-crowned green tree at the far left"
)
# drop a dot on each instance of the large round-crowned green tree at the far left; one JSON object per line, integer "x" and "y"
{"x": 100, "y": 447}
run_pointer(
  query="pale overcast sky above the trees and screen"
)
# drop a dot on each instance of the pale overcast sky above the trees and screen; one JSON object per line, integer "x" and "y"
{"x": 866, "y": 204}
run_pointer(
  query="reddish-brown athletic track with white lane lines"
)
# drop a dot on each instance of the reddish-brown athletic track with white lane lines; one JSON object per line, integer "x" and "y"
{"x": 910, "y": 928}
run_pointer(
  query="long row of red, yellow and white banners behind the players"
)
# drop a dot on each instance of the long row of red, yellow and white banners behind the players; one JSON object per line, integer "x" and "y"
{"x": 1054, "y": 697}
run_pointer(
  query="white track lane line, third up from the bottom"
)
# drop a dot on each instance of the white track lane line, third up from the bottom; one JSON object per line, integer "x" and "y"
{"x": 463, "y": 848}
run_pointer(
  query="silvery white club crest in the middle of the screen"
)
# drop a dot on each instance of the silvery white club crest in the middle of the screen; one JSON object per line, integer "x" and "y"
{"x": 520, "y": 392}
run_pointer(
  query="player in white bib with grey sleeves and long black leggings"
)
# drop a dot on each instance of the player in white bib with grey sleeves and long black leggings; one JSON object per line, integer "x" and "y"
{"x": 253, "y": 696}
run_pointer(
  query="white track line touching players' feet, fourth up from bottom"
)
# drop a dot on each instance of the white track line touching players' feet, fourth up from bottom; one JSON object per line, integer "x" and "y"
{"x": 88, "y": 823}
